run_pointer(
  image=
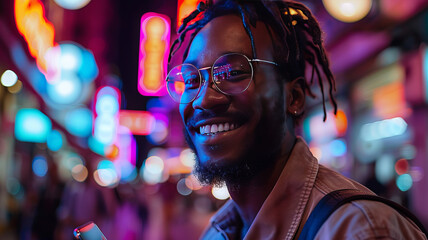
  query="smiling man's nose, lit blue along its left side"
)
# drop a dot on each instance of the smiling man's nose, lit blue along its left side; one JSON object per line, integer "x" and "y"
{"x": 209, "y": 97}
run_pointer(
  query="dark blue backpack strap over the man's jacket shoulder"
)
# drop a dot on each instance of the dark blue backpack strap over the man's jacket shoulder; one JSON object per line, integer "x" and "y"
{"x": 332, "y": 201}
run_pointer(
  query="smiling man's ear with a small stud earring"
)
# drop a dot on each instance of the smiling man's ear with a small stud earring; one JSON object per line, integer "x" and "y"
{"x": 295, "y": 96}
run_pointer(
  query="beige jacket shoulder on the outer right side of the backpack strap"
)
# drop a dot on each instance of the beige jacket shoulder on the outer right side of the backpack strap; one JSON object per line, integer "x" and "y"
{"x": 365, "y": 219}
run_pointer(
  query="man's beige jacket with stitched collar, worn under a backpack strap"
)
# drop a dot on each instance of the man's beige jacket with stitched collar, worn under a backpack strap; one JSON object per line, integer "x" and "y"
{"x": 302, "y": 183}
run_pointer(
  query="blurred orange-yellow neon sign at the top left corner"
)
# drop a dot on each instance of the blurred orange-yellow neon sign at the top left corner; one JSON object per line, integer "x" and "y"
{"x": 37, "y": 31}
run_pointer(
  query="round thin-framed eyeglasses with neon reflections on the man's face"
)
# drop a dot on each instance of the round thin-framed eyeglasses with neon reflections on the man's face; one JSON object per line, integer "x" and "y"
{"x": 231, "y": 74}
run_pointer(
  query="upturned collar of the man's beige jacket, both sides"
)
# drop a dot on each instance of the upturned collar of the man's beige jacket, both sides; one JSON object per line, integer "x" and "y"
{"x": 281, "y": 213}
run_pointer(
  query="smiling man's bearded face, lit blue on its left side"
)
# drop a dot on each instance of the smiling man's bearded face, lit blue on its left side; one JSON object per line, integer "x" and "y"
{"x": 252, "y": 122}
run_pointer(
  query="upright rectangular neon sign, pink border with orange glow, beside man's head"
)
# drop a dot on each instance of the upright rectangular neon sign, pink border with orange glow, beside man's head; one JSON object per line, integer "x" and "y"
{"x": 153, "y": 55}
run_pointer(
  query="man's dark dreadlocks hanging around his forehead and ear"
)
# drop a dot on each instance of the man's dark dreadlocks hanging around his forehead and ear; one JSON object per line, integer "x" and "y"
{"x": 302, "y": 45}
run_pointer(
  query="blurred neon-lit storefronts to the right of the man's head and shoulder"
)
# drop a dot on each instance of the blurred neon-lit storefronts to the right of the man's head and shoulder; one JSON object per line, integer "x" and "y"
{"x": 380, "y": 67}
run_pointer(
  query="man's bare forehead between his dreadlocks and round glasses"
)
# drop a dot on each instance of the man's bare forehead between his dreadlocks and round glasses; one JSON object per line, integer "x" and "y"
{"x": 227, "y": 34}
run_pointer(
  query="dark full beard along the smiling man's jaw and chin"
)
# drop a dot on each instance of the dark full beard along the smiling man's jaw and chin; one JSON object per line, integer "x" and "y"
{"x": 261, "y": 155}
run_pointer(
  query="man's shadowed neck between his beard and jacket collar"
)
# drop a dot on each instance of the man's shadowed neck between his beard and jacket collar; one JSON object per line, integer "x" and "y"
{"x": 249, "y": 196}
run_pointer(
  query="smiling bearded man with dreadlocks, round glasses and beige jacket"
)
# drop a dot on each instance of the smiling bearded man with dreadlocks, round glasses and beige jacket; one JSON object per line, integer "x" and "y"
{"x": 241, "y": 88}
